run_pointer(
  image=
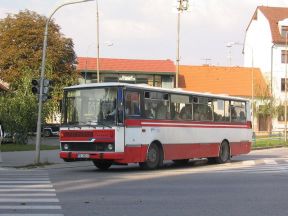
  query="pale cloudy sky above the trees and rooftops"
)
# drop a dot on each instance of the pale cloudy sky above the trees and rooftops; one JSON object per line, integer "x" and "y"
{"x": 147, "y": 29}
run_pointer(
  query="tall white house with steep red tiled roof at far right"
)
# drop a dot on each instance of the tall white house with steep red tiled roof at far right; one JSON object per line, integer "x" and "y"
{"x": 265, "y": 48}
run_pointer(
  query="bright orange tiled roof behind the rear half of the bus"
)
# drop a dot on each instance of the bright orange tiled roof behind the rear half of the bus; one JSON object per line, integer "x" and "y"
{"x": 233, "y": 81}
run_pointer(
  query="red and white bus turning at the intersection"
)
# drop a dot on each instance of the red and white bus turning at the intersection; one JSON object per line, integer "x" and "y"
{"x": 117, "y": 123}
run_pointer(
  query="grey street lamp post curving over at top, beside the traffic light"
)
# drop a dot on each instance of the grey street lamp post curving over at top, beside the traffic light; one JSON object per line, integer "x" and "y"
{"x": 42, "y": 75}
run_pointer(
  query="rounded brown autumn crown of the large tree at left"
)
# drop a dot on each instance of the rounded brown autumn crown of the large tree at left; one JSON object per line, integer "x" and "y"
{"x": 21, "y": 37}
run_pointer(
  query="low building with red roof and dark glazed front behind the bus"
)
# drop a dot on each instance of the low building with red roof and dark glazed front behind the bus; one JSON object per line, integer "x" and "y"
{"x": 159, "y": 73}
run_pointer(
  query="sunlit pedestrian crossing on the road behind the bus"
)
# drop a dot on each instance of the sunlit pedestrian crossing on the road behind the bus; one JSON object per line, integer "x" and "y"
{"x": 256, "y": 166}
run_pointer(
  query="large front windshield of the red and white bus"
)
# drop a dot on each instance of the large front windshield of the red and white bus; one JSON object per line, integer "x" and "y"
{"x": 91, "y": 106}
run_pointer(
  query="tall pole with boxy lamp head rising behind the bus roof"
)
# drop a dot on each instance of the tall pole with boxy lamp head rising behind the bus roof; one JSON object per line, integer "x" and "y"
{"x": 182, "y": 6}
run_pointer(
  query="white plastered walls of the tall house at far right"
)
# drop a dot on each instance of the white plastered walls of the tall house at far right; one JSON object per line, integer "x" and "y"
{"x": 259, "y": 39}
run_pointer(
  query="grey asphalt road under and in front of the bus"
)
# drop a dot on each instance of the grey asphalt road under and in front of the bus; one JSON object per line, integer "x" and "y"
{"x": 254, "y": 184}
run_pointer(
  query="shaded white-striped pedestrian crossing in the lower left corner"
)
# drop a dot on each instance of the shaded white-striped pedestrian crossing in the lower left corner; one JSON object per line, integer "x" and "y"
{"x": 27, "y": 192}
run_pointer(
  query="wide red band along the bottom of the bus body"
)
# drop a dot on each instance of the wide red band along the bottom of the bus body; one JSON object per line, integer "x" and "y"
{"x": 135, "y": 154}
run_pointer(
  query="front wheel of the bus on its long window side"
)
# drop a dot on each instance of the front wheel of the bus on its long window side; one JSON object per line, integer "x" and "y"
{"x": 154, "y": 158}
